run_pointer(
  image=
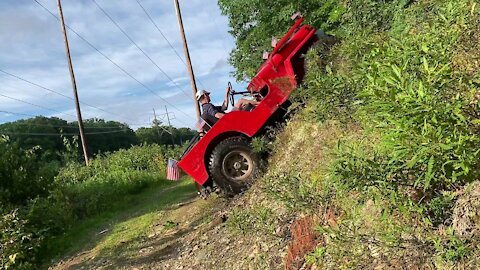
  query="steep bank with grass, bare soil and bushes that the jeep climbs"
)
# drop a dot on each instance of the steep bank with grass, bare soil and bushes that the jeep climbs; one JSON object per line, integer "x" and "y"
{"x": 381, "y": 168}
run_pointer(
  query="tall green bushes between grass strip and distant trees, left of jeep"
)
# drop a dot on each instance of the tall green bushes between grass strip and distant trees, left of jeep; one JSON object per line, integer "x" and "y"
{"x": 87, "y": 190}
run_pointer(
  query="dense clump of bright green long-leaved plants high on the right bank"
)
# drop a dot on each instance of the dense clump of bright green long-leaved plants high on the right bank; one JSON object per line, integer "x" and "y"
{"x": 418, "y": 102}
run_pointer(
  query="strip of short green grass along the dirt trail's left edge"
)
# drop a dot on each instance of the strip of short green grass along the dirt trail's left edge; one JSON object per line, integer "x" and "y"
{"x": 127, "y": 219}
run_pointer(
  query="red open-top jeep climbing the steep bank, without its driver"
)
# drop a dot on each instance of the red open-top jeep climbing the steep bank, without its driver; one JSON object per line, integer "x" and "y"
{"x": 223, "y": 155}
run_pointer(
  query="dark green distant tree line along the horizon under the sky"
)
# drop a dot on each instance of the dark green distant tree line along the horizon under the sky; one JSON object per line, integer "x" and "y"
{"x": 57, "y": 139}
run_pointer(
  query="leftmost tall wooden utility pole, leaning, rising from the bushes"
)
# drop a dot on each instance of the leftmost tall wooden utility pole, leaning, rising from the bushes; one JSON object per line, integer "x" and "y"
{"x": 74, "y": 86}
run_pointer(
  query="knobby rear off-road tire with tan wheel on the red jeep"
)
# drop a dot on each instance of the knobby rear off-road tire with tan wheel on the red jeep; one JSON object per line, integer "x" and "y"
{"x": 234, "y": 165}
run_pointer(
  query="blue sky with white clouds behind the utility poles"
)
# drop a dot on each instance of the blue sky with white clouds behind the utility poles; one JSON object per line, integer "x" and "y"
{"x": 118, "y": 82}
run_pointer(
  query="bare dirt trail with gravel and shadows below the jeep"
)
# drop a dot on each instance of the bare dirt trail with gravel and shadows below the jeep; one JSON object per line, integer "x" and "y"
{"x": 187, "y": 235}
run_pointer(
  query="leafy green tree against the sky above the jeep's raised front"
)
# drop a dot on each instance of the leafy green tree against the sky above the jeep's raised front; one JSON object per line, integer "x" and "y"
{"x": 254, "y": 22}
